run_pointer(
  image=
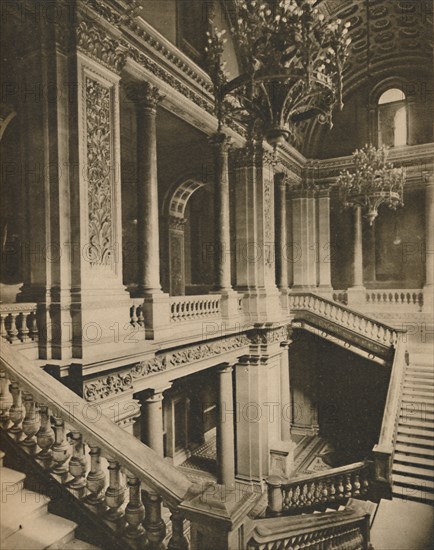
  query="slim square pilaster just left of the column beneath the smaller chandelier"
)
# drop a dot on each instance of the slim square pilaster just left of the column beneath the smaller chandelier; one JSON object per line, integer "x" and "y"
{"x": 324, "y": 244}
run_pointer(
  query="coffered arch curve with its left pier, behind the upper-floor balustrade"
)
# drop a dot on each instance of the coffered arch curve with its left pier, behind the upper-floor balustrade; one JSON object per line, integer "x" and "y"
{"x": 174, "y": 213}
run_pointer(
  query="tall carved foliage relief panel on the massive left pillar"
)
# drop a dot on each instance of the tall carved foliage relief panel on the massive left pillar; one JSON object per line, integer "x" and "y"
{"x": 99, "y": 162}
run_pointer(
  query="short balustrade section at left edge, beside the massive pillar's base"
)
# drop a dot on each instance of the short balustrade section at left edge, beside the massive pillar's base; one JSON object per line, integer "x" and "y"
{"x": 18, "y": 322}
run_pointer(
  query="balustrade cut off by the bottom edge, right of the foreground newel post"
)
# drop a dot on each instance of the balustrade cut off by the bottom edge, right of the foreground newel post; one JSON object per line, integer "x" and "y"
{"x": 344, "y": 530}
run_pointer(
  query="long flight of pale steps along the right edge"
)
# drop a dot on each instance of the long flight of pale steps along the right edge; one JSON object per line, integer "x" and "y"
{"x": 413, "y": 464}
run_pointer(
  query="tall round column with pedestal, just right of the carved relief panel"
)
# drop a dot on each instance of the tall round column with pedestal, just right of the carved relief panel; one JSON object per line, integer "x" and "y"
{"x": 156, "y": 308}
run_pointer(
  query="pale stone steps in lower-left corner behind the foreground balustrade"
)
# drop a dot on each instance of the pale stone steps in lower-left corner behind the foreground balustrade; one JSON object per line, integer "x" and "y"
{"x": 26, "y": 524}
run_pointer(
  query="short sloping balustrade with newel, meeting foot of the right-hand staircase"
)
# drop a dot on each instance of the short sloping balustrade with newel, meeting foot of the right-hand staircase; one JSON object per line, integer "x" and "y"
{"x": 324, "y": 488}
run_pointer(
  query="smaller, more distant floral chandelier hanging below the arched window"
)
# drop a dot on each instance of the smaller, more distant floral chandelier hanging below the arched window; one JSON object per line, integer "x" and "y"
{"x": 373, "y": 182}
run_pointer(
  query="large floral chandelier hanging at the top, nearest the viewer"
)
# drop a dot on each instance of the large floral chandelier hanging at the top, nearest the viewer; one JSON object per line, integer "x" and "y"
{"x": 292, "y": 66}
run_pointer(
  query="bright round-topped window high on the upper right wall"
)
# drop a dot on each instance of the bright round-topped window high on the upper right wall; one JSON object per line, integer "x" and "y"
{"x": 392, "y": 118}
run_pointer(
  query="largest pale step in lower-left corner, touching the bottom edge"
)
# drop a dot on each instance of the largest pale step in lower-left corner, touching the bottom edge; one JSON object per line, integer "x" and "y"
{"x": 48, "y": 532}
